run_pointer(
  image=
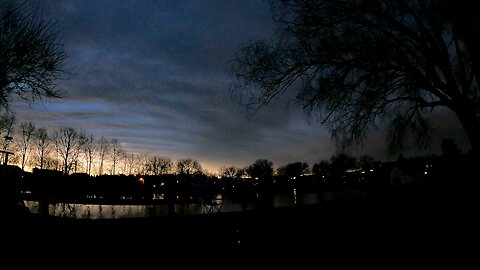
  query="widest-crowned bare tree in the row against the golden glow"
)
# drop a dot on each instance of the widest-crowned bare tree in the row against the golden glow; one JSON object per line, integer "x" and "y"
{"x": 67, "y": 144}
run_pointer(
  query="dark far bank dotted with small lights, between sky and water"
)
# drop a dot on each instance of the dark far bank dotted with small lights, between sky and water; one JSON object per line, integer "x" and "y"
{"x": 341, "y": 172}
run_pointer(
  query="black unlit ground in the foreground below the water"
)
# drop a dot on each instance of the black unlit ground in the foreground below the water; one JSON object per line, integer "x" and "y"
{"x": 430, "y": 227}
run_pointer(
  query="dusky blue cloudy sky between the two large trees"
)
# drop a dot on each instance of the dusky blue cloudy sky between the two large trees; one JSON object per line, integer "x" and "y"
{"x": 154, "y": 75}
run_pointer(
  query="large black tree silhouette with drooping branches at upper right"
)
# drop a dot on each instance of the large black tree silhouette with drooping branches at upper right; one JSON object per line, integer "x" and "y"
{"x": 356, "y": 63}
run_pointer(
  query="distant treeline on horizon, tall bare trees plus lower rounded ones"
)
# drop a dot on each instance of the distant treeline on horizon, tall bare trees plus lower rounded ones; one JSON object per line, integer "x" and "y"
{"x": 71, "y": 150}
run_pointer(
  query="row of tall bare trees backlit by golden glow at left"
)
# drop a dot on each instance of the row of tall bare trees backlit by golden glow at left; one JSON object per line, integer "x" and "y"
{"x": 71, "y": 150}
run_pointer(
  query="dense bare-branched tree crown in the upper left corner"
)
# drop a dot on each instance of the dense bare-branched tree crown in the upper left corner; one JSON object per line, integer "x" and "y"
{"x": 31, "y": 53}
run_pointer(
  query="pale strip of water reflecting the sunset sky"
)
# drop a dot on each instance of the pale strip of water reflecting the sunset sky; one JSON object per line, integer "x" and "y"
{"x": 109, "y": 211}
